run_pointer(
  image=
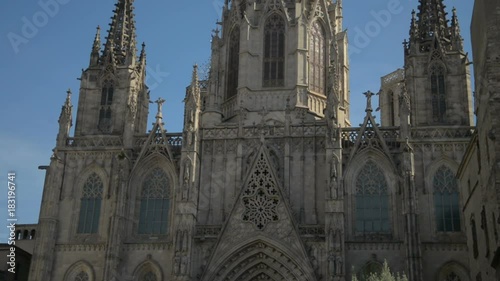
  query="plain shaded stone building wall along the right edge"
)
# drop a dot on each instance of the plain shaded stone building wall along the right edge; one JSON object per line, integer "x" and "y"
{"x": 479, "y": 170}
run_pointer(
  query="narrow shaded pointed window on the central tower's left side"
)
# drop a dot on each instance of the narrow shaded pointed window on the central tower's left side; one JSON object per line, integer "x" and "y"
{"x": 233, "y": 62}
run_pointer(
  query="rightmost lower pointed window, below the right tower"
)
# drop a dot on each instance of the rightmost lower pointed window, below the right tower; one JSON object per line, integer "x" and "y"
{"x": 446, "y": 200}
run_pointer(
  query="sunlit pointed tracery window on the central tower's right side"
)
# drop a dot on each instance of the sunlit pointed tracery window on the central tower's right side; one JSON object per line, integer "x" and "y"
{"x": 317, "y": 59}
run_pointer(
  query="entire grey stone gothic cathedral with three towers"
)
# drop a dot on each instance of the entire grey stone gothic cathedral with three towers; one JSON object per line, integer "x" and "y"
{"x": 268, "y": 179}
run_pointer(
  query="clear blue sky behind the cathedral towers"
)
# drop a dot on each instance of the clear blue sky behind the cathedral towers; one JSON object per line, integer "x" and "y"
{"x": 45, "y": 44}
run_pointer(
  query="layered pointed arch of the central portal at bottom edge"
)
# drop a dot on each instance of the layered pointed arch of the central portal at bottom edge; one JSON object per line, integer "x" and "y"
{"x": 259, "y": 260}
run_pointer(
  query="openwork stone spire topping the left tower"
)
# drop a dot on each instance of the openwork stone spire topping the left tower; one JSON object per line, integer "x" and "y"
{"x": 121, "y": 34}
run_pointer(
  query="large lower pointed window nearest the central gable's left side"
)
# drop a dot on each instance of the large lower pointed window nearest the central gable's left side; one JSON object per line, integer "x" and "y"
{"x": 155, "y": 202}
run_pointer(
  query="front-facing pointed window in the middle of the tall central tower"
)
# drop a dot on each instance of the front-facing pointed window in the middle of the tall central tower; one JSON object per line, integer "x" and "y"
{"x": 274, "y": 51}
